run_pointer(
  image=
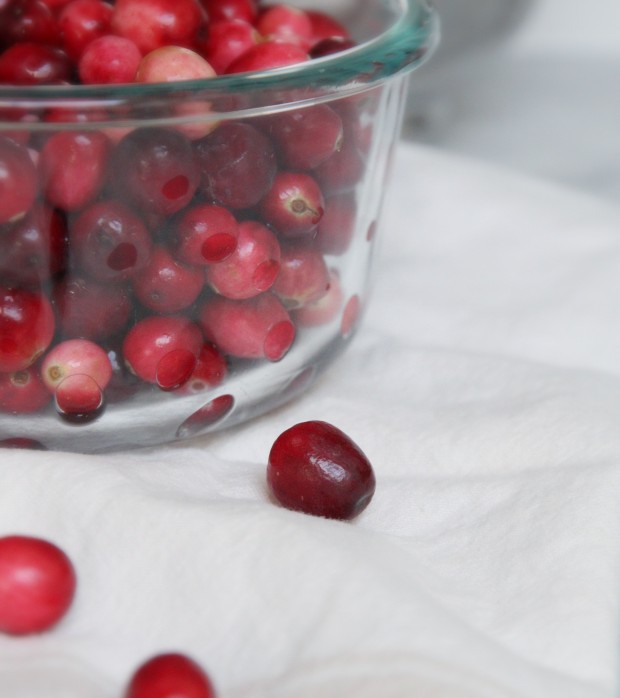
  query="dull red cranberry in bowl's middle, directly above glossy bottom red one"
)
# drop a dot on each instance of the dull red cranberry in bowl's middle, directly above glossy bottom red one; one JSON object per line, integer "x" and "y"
{"x": 166, "y": 286}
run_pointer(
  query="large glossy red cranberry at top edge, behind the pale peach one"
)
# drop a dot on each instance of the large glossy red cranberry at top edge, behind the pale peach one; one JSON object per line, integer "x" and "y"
{"x": 151, "y": 24}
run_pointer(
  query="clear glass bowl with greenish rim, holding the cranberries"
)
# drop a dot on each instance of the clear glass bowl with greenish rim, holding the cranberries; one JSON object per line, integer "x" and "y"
{"x": 177, "y": 258}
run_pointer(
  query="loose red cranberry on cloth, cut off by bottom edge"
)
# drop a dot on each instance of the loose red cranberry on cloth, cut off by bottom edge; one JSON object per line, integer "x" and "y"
{"x": 170, "y": 676}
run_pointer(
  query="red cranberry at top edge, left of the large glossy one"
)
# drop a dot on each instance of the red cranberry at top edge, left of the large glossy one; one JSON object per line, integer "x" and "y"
{"x": 83, "y": 21}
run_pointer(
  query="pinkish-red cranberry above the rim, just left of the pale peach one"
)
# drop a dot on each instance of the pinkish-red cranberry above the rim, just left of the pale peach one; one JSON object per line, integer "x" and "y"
{"x": 109, "y": 60}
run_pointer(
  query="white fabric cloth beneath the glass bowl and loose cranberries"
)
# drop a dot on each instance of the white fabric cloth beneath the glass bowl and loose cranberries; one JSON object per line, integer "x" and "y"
{"x": 485, "y": 387}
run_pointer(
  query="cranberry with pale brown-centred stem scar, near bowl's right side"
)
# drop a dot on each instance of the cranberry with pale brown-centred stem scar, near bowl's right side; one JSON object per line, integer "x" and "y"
{"x": 294, "y": 205}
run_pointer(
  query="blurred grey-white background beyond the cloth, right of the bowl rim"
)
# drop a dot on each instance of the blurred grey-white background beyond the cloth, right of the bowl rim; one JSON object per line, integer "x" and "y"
{"x": 530, "y": 84}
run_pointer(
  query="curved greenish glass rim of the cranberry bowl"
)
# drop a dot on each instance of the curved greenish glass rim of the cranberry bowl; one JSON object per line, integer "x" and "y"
{"x": 404, "y": 46}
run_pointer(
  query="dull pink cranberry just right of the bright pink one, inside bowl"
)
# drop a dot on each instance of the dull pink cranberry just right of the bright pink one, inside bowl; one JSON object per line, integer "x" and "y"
{"x": 303, "y": 277}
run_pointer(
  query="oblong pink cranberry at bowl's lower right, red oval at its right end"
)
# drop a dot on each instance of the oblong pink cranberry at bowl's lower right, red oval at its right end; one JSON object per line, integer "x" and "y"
{"x": 255, "y": 328}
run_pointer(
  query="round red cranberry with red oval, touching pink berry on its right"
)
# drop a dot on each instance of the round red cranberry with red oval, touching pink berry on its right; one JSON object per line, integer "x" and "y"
{"x": 205, "y": 234}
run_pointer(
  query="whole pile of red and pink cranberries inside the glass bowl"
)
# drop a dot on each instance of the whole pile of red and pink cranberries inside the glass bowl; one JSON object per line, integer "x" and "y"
{"x": 154, "y": 257}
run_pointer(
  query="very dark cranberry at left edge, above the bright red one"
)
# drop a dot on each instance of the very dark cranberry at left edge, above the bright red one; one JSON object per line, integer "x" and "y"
{"x": 33, "y": 249}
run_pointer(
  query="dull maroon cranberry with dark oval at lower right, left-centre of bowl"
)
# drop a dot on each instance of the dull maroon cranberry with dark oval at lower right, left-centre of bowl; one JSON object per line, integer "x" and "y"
{"x": 109, "y": 242}
